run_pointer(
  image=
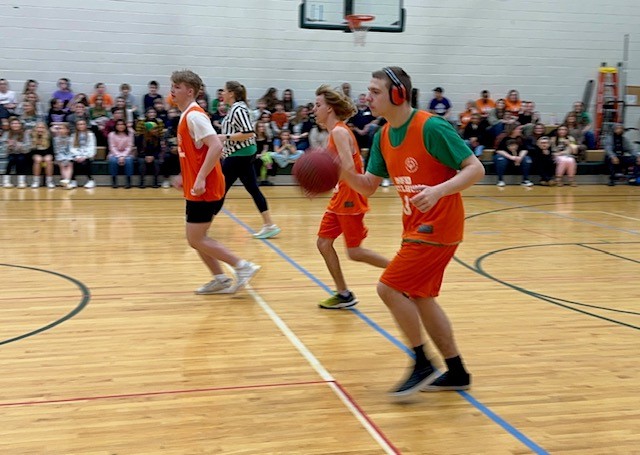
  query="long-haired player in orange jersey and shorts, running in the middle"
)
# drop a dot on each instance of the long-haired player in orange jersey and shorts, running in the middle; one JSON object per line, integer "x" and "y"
{"x": 346, "y": 209}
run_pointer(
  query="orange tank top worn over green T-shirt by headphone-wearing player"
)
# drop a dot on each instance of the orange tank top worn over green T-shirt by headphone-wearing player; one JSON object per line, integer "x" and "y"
{"x": 410, "y": 165}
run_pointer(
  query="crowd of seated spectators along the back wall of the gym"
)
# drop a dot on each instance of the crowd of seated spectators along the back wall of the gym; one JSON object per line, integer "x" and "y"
{"x": 68, "y": 128}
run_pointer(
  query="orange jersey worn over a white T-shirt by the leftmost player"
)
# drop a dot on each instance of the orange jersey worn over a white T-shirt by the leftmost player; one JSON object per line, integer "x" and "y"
{"x": 191, "y": 160}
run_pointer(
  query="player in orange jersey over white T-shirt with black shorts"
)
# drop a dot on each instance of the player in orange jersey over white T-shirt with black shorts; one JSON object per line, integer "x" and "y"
{"x": 199, "y": 150}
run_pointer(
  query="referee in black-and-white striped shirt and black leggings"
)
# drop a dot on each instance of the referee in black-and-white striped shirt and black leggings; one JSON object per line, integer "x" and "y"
{"x": 239, "y": 141}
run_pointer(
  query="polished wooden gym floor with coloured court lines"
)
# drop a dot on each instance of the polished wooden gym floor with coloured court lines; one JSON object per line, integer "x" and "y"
{"x": 105, "y": 349}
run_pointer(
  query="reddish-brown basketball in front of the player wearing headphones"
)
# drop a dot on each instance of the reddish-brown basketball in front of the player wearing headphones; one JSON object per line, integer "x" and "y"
{"x": 317, "y": 171}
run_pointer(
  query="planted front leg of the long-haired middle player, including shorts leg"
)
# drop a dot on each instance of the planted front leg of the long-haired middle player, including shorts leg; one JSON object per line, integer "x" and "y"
{"x": 327, "y": 233}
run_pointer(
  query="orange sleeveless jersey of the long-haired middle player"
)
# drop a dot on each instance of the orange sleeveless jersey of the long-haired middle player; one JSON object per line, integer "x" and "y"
{"x": 346, "y": 200}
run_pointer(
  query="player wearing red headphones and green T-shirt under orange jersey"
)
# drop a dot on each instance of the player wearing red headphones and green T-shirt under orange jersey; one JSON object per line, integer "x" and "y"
{"x": 429, "y": 164}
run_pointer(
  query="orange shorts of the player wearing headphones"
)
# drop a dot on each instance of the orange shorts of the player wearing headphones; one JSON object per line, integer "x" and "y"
{"x": 417, "y": 269}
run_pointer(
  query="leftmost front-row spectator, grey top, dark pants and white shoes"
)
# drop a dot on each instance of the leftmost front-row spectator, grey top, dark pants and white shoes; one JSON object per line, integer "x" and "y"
{"x": 15, "y": 144}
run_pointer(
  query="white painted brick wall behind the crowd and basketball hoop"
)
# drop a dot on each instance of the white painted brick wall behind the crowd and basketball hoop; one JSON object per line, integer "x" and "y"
{"x": 546, "y": 49}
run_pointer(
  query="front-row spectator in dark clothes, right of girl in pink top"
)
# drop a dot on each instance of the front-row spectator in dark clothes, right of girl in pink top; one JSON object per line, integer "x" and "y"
{"x": 149, "y": 131}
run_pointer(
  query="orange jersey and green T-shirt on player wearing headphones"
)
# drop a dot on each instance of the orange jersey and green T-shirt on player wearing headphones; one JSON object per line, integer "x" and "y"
{"x": 425, "y": 151}
